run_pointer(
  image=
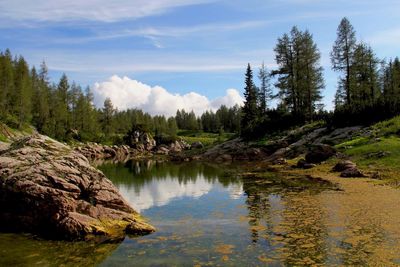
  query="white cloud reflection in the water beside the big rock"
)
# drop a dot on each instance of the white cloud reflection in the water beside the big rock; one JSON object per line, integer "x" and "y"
{"x": 159, "y": 192}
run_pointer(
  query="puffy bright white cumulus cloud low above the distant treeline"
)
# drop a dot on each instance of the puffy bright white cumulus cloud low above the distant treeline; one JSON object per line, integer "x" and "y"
{"x": 127, "y": 93}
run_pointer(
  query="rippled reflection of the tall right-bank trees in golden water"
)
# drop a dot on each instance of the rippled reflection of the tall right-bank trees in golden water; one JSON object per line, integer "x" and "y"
{"x": 285, "y": 212}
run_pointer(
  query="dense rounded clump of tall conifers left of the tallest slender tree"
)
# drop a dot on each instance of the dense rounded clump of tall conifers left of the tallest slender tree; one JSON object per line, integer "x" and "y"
{"x": 300, "y": 78}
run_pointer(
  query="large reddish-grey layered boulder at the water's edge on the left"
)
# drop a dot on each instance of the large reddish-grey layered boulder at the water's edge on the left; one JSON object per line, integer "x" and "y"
{"x": 50, "y": 189}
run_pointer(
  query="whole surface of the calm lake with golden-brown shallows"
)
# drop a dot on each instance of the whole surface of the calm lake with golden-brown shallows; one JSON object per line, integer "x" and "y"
{"x": 206, "y": 216}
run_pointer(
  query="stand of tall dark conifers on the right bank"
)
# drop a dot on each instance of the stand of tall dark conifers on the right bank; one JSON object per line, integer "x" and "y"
{"x": 368, "y": 88}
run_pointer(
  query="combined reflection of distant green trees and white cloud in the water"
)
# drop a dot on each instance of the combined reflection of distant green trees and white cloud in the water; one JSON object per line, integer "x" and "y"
{"x": 146, "y": 184}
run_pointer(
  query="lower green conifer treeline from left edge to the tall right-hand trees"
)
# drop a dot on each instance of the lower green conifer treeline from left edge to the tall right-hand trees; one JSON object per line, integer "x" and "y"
{"x": 65, "y": 111}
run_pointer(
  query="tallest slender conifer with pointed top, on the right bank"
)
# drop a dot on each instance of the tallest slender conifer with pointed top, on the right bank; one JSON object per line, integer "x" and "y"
{"x": 342, "y": 54}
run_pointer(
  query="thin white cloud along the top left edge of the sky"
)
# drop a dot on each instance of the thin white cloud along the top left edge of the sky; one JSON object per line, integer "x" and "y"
{"x": 94, "y": 10}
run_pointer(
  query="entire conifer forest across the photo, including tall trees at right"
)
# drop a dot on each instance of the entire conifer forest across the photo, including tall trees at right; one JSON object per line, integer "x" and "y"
{"x": 368, "y": 91}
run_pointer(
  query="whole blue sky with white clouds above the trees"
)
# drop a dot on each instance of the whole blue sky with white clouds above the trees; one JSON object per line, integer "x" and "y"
{"x": 160, "y": 55}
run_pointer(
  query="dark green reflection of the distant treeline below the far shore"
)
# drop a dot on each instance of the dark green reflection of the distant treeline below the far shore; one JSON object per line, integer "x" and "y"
{"x": 136, "y": 174}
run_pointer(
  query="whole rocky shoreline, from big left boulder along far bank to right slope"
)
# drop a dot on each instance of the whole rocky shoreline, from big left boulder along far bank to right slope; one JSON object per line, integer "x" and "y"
{"x": 51, "y": 189}
